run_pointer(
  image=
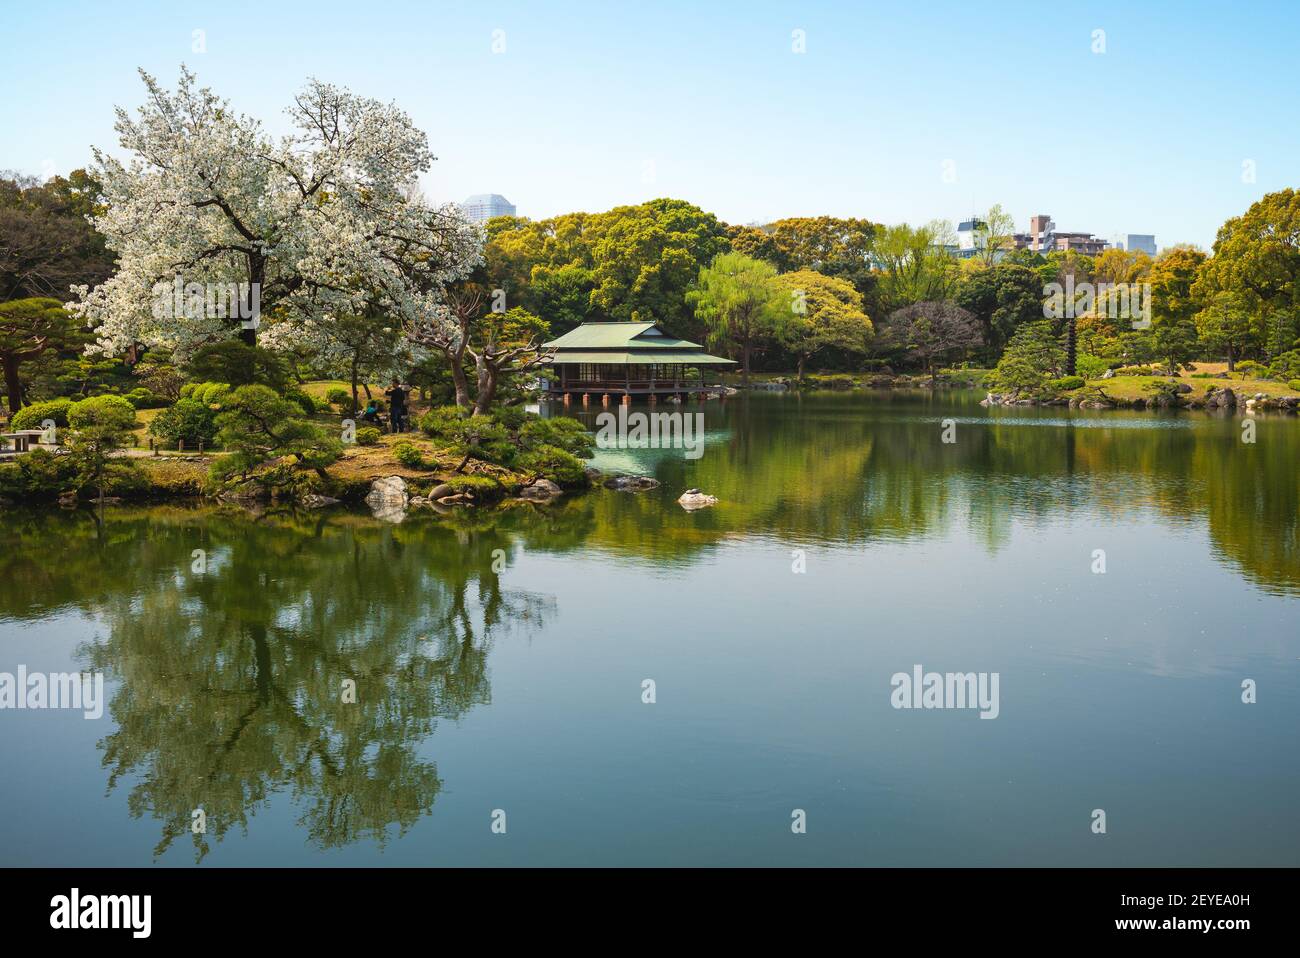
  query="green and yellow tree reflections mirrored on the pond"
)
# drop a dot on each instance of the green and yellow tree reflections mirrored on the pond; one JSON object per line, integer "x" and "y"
{"x": 229, "y": 683}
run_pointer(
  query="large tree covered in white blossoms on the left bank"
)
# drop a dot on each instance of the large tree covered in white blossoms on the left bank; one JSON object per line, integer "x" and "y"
{"x": 319, "y": 224}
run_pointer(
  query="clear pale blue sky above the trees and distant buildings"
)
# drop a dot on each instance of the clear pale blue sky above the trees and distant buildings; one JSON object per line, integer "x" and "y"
{"x": 597, "y": 105}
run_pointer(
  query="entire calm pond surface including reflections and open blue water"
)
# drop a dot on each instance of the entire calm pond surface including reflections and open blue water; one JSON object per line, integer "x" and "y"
{"x": 523, "y": 691}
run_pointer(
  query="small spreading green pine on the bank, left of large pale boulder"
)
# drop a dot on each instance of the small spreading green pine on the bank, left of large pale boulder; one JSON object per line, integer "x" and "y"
{"x": 257, "y": 426}
